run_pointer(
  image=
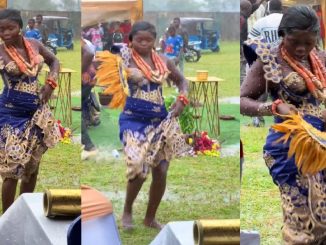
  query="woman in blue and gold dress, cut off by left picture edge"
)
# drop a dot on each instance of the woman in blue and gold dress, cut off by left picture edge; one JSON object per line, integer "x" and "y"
{"x": 27, "y": 127}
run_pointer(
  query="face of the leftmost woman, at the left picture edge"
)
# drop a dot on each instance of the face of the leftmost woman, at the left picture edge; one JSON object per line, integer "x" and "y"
{"x": 9, "y": 31}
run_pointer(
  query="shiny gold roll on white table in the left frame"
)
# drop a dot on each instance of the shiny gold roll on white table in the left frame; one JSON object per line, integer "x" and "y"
{"x": 62, "y": 202}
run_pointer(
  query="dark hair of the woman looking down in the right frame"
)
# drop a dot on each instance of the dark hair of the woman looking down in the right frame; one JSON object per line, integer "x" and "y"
{"x": 300, "y": 17}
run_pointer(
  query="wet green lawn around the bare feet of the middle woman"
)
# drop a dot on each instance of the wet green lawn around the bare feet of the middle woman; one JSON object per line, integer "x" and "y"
{"x": 196, "y": 188}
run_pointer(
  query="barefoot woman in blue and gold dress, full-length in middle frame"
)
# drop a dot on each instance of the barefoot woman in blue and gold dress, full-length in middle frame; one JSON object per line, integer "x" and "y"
{"x": 151, "y": 135}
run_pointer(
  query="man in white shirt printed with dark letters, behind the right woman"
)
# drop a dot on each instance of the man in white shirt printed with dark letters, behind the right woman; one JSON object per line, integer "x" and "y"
{"x": 267, "y": 26}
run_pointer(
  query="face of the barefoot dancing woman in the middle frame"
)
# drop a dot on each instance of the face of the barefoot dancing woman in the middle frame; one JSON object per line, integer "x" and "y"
{"x": 143, "y": 42}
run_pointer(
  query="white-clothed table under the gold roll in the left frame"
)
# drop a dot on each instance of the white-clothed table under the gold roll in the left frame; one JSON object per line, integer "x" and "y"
{"x": 24, "y": 223}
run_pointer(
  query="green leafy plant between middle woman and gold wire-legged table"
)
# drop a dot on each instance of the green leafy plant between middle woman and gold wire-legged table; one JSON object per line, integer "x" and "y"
{"x": 186, "y": 119}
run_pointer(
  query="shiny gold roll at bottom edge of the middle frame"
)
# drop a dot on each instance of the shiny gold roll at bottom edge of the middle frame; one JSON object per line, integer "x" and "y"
{"x": 209, "y": 232}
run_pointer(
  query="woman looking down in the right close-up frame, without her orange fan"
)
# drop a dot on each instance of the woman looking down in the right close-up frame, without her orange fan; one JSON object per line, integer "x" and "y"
{"x": 285, "y": 71}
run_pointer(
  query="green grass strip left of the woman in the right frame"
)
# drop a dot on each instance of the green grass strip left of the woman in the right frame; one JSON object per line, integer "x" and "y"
{"x": 260, "y": 198}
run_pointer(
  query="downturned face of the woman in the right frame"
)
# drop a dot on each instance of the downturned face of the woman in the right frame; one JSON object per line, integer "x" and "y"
{"x": 299, "y": 44}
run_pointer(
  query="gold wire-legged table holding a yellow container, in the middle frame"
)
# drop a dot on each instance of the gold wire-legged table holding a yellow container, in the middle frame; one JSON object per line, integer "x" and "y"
{"x": 203, "y": 96}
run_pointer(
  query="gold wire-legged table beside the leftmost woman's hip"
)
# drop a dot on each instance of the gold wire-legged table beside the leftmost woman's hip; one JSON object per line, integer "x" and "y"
{"x": 62, "y": 103}
